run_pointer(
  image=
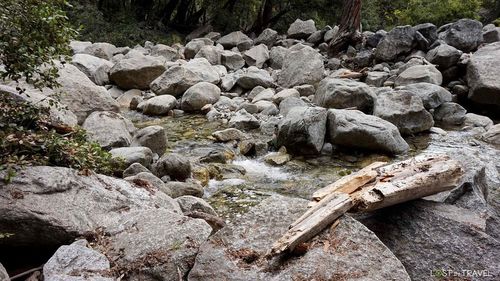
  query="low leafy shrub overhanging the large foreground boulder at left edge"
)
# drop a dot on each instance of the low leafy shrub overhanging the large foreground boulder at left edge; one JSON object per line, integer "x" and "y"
{"x": 26, "y": 138}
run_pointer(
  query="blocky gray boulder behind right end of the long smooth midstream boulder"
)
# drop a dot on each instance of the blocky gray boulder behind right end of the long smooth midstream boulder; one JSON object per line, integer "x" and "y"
{"x": 403, "y": 109}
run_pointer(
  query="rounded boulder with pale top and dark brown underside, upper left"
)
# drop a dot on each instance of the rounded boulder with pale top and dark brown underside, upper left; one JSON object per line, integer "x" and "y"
{"x": 136, "y": 72}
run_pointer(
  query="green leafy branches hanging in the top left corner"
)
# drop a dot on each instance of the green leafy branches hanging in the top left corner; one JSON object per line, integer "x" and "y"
{"x": 32, "y": 34}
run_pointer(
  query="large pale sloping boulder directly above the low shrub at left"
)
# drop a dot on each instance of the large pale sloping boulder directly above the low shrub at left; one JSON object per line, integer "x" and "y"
{"x": 81, "y": 95}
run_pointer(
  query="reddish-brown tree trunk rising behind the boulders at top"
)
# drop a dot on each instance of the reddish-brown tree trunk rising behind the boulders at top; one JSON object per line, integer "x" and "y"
{"x": 348, "y": 28}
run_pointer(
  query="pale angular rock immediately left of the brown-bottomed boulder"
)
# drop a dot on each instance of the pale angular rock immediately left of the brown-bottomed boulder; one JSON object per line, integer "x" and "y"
{"x": 95, "y": 68}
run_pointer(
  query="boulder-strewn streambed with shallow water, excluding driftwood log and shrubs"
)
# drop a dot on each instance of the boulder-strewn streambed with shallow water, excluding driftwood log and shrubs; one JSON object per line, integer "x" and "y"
{"x": 225, "y": 139}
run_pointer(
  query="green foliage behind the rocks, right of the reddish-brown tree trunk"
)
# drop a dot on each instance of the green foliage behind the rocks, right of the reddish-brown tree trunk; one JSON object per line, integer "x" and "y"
{"x": 437, "y": 12}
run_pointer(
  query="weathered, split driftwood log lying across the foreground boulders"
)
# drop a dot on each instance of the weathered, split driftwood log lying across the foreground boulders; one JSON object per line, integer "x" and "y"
{"x": 376, "y": 186}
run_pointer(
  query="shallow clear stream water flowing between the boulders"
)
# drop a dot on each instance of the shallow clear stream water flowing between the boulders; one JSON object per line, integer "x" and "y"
{"x": 234, "y": 193}
